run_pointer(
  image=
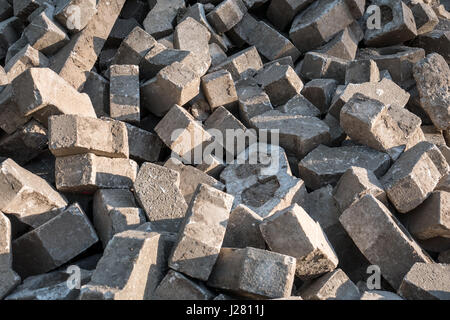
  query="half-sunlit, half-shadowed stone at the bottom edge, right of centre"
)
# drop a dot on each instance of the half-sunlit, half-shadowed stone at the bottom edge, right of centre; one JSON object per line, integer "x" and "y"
{"x": 332, "y": 286}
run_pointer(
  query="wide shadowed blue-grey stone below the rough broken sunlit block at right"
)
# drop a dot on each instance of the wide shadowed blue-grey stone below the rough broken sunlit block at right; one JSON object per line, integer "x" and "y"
{"x": 325, "y": 165}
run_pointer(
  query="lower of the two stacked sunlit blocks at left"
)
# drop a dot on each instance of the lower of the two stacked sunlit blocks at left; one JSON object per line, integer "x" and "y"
{"x": 85, "y": 173}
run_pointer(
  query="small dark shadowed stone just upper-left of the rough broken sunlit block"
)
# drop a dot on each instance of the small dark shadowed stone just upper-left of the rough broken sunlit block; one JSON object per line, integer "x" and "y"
{"x": 320, "y": 92}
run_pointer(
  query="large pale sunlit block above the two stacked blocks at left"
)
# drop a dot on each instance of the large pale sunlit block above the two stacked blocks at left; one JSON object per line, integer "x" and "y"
{"x": 34, "y": 93}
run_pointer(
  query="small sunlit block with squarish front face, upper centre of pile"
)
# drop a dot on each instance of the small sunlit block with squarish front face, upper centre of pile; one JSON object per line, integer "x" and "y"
{"x": 219, "y": 89}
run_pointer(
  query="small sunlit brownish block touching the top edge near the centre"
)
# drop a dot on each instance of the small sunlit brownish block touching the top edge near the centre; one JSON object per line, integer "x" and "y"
{"x": 226, "y": 15}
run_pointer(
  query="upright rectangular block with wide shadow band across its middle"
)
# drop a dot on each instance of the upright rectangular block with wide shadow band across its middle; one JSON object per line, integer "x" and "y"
{"x": 124, "y": 101}
